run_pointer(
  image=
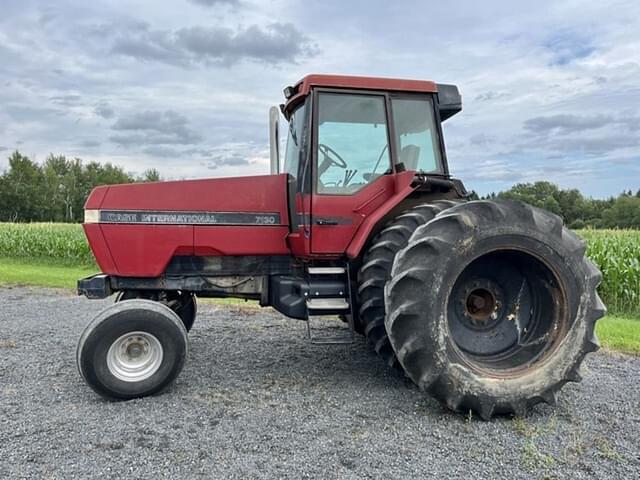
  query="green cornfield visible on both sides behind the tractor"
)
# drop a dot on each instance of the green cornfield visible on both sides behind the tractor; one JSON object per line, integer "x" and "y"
{"x": 616, "y": 252}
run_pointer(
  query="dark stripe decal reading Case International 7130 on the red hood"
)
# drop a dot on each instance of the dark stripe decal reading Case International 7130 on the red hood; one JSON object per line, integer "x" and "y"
{"x": 188, "y": 218}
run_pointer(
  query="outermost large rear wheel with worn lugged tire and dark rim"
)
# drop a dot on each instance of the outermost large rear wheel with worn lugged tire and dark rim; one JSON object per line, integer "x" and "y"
{"x": 492, "y": 307}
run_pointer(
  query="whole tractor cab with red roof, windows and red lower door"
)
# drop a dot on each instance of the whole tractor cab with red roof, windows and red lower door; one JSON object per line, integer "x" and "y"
{"x": 353, "y": 143}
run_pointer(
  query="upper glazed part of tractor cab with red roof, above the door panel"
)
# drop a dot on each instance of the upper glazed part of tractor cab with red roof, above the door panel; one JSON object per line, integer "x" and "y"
{"x": 379, "y": 125}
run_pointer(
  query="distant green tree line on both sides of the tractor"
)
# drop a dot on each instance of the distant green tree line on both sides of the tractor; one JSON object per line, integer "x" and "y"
{"x": 55, "y": 191}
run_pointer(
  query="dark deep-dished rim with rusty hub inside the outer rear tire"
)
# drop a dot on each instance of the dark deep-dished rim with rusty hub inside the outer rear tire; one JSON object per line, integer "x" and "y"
{"x": 502, "y": 311}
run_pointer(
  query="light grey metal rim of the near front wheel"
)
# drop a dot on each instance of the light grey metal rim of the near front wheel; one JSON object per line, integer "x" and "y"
{"x": 135, "y": 356}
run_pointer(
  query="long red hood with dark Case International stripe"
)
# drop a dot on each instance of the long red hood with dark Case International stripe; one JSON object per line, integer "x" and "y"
{"x": 135, "y": 229}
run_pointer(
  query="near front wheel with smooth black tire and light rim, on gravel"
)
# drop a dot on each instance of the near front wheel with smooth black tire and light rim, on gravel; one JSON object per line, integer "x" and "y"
{"x": 132, "y": 349}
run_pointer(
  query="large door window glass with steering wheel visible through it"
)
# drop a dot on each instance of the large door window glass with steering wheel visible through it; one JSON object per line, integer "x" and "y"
{"x": 352, "y": 149}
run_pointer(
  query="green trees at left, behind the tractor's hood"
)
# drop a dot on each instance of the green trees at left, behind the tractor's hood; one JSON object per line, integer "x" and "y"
{"x": 55, "y": 190}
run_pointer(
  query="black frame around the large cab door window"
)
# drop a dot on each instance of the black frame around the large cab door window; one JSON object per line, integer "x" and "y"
{"x": 315, "y": 134}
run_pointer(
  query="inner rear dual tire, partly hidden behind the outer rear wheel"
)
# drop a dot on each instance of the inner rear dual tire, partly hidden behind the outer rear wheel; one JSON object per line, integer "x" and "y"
{"x": 376, "y": 270}
